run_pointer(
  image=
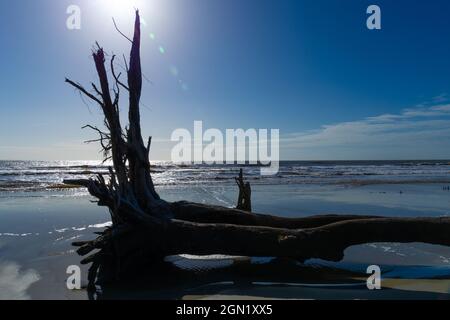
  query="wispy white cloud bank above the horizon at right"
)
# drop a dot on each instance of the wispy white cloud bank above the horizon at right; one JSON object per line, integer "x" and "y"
{"x": 421, "y": 132}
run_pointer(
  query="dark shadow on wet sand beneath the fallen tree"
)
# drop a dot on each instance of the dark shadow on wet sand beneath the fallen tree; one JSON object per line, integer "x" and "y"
{"x": 278, "y": 279}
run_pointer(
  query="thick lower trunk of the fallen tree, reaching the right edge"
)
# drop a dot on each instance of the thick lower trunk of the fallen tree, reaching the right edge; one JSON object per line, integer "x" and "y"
{"x": 326, "y": 242}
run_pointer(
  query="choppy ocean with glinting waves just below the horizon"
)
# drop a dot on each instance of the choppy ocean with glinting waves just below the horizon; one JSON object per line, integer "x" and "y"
{"x": 47, "y": 175}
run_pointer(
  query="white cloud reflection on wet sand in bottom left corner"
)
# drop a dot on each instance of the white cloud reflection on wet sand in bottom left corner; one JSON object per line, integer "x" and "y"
{"x": 15, "y": 282}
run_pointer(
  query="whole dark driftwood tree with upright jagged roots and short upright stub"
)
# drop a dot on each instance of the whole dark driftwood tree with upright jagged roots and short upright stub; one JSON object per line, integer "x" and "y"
{"x": 145, "y": 226}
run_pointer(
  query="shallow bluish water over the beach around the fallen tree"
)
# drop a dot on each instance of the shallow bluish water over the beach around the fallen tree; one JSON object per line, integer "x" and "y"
{"x": 37, "y": 228}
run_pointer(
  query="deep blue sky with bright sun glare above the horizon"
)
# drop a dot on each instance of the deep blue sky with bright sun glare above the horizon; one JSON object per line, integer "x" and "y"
{"x": 310, "y": 68}
